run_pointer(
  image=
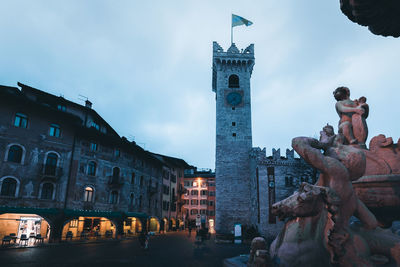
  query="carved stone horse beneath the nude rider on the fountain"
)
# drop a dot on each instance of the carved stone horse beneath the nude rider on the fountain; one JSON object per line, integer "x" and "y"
{"x": 306, "y": 239}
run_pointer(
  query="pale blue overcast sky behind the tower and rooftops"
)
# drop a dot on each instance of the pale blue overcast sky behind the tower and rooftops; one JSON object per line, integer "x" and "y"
{"x": 146, "y": 66}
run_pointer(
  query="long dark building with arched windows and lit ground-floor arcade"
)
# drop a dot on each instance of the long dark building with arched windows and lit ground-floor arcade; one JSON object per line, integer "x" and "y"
{"x": 65, "y": 173}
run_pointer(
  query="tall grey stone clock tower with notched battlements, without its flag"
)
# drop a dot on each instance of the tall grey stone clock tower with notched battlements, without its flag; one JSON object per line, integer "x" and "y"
{"x": 231, "y": 83}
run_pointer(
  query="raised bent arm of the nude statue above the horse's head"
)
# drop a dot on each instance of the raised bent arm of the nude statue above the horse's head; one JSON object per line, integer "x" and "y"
{"x": 310, "y": 150}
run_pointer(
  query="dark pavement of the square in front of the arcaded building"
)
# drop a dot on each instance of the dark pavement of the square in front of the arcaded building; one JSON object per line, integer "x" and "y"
{"x": 172, "y": 249}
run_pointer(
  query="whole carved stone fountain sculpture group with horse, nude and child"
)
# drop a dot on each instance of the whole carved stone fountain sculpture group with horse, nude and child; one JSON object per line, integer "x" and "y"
{"x": 318, "y": 229}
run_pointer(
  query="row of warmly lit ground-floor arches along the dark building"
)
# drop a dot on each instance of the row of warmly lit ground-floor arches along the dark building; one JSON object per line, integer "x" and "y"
{"x": 33, "y": 226}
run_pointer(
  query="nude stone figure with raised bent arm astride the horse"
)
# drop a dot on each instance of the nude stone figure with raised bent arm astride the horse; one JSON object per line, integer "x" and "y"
{"x": 339, "y": 164}
